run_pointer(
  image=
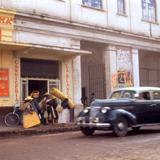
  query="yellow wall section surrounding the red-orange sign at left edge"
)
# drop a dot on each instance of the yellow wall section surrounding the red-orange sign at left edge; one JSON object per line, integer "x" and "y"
{"x": 6, "y": 62}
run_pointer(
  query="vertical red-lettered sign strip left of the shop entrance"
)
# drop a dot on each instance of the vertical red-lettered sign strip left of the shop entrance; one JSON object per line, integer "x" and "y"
{"x": 17, "y": 75}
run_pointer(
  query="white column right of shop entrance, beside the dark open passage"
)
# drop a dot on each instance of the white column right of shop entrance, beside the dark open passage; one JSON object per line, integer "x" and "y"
{"x": 77, "y": 85}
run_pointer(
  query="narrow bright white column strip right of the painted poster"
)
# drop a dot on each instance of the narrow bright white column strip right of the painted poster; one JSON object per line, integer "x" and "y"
{"x": 135, "y": 60}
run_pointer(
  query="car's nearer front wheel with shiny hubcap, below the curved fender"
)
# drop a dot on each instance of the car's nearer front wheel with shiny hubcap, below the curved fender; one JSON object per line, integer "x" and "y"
{"x": 120, "y": 127}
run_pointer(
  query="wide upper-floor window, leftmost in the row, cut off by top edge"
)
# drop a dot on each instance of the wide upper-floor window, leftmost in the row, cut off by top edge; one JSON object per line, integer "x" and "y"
{"x": 93, "y": 3}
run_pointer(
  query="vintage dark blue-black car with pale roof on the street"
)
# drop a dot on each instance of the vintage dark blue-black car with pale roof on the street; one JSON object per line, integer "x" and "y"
{"x": 132, "y": 107}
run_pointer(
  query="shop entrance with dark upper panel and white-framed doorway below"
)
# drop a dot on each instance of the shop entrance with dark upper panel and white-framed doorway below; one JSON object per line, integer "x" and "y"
{"x": 40, "y": 75}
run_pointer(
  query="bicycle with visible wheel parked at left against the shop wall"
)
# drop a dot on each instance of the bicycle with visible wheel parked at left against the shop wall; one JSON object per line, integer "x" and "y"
{"x": 13, "y": 118}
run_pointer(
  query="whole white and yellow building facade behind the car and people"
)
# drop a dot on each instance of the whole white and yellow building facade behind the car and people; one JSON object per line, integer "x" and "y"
{"x": 79, "y": 46}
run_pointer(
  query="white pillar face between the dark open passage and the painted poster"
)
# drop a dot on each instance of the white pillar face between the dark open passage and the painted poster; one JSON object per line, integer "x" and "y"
{"x": 110, "y": 68}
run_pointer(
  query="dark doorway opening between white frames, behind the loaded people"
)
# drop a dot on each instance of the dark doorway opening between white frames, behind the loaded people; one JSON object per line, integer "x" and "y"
{"x": 37, "y": 85}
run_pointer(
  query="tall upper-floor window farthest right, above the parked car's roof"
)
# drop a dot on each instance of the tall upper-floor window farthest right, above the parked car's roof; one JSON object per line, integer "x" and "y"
{"x": 149, "y": 10}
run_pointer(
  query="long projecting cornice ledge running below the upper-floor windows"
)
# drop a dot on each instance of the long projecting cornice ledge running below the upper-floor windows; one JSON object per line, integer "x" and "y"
{"x": 83, "y": 26}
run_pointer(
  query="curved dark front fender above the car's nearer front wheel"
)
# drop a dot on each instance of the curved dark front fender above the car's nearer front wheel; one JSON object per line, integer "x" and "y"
{"x": 115, "y": 114}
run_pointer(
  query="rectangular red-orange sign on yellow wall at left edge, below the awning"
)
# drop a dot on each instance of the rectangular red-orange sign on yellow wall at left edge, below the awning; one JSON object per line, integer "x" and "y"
{"x": 4, "y": 82}
